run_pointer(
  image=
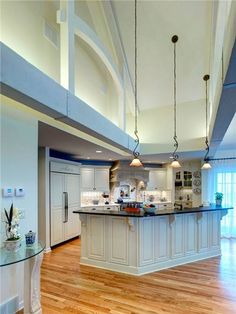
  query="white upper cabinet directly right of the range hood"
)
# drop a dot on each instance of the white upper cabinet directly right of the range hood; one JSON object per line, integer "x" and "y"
{"x": 157, "y": 180}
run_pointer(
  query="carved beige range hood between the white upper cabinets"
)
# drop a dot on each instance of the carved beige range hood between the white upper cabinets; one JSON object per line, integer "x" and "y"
{"x": 121, "y": 171}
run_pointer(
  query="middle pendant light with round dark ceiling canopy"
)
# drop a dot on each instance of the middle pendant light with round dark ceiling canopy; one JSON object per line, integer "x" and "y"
{"x": 175, "y": 163}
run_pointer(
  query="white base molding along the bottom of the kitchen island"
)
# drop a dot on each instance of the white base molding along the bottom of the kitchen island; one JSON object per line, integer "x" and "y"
{"x": 142, "y": 270}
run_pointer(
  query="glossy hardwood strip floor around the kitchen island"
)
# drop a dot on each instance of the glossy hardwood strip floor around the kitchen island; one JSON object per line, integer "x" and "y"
{"x": 202, "y": 287}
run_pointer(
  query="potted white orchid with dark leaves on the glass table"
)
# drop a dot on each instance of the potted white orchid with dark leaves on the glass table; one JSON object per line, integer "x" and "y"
{"x": 13, "y": 241}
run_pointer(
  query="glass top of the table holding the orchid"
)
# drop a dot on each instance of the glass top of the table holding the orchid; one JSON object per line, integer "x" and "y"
{"x": 24, "y": 253}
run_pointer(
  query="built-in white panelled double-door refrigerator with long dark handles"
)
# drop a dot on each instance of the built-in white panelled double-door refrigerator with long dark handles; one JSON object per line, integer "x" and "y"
{"x": 64, "y": 199}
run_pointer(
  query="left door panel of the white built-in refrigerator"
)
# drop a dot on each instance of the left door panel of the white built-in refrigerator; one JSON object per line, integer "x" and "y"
{"x": 57, "y": 207}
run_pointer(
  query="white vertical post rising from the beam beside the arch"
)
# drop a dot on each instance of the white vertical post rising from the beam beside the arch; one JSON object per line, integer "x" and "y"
{"x": 65, "y": 17}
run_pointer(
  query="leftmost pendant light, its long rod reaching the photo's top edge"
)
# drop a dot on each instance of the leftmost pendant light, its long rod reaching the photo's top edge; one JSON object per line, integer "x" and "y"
{"x": 136, "y": 161}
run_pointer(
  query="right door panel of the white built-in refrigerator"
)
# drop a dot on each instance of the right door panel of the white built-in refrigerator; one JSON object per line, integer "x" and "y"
{"x": 73, "y": 225}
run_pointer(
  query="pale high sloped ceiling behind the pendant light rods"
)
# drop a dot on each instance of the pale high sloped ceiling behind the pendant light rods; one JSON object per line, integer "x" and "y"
{"x": 158, "y": 21}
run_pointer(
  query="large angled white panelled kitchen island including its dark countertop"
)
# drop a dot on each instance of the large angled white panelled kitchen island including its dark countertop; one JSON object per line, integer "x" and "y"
{"x": 139, "y": 243}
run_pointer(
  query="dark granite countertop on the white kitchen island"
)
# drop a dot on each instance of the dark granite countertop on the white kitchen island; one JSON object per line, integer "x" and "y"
{"x": 142, "y": 214}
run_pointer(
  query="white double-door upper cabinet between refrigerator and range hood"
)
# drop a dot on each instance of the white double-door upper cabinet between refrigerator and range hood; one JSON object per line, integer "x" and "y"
{"x": 95, "y": 179}
